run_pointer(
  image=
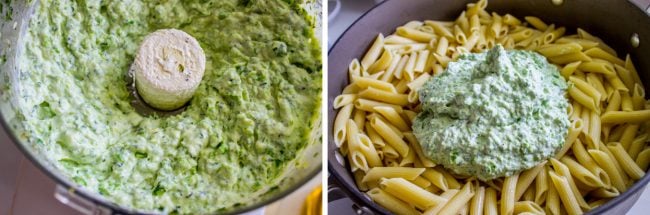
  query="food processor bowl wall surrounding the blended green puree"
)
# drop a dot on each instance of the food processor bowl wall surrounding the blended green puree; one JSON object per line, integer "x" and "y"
{"x": 306, "y": 166}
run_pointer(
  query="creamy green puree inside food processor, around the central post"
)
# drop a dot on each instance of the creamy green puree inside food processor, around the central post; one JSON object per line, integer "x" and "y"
{"x": 249, "y": 118}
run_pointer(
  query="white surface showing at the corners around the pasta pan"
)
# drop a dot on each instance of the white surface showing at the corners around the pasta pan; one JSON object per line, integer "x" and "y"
{"x": 353, "y": 9}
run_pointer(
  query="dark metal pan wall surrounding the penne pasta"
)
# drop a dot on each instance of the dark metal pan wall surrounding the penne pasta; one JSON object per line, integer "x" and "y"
{"x": 615, "y": 21}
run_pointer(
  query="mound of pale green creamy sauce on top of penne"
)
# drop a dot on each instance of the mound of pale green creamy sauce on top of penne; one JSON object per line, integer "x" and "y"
{"x": 493, "y": 114}
